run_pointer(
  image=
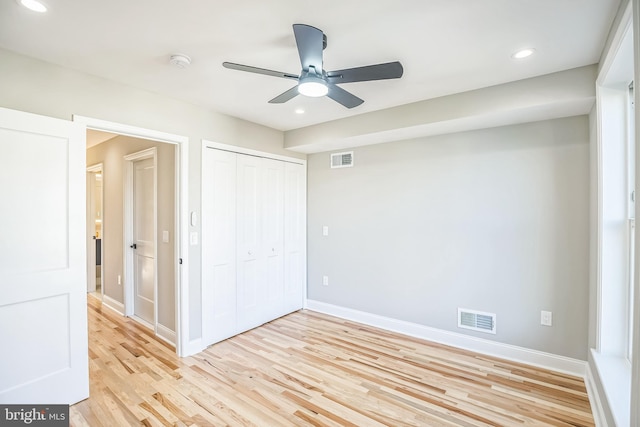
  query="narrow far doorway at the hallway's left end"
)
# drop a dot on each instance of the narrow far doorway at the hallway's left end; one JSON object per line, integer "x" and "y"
{"x": 95, "y": 233}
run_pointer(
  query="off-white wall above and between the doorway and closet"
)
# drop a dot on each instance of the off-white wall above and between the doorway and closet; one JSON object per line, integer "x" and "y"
{"x": 42, "y": 88}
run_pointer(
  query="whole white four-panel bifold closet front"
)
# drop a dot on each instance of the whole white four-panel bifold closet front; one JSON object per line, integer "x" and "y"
{"x": 253, "y": 240}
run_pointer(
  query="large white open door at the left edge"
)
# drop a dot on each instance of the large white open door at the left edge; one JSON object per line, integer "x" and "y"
{"x": 43, "y": 318}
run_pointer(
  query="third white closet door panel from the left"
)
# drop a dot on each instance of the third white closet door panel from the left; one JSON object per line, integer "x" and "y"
{"x": 273, "y": 222}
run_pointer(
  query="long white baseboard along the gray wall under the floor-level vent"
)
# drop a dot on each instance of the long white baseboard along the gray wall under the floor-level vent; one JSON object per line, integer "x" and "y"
{"x": 491, "y": 348}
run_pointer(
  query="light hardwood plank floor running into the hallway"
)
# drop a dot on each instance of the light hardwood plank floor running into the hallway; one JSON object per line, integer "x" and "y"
{"x": 314, "y": 370}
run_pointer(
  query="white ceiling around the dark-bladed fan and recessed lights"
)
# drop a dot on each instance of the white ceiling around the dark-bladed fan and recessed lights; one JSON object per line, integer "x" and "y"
{"x": 446, "y": 46}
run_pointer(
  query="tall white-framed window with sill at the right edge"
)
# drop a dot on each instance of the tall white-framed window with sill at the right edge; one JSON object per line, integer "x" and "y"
{"x": 615, "y": 156}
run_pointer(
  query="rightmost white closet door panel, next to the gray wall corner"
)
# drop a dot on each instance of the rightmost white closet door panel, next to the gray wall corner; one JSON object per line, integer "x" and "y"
{"x": 295, "y": 227}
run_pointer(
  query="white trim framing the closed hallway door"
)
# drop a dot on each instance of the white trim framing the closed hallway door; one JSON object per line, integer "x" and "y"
{"x": 128, "y": 262}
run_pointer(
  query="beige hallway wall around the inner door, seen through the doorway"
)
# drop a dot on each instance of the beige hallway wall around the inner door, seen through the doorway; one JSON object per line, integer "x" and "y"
{"x": 111, "y": 153}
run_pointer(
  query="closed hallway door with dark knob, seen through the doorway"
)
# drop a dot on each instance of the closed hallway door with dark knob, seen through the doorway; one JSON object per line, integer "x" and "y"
{"x": 144, "y": 240}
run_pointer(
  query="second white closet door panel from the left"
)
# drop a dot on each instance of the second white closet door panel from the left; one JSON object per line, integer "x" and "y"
{"x": 250, "y": 254}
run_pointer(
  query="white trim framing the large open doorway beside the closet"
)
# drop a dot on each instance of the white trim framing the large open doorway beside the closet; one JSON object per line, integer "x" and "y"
{"x": 183, "y": 345}
